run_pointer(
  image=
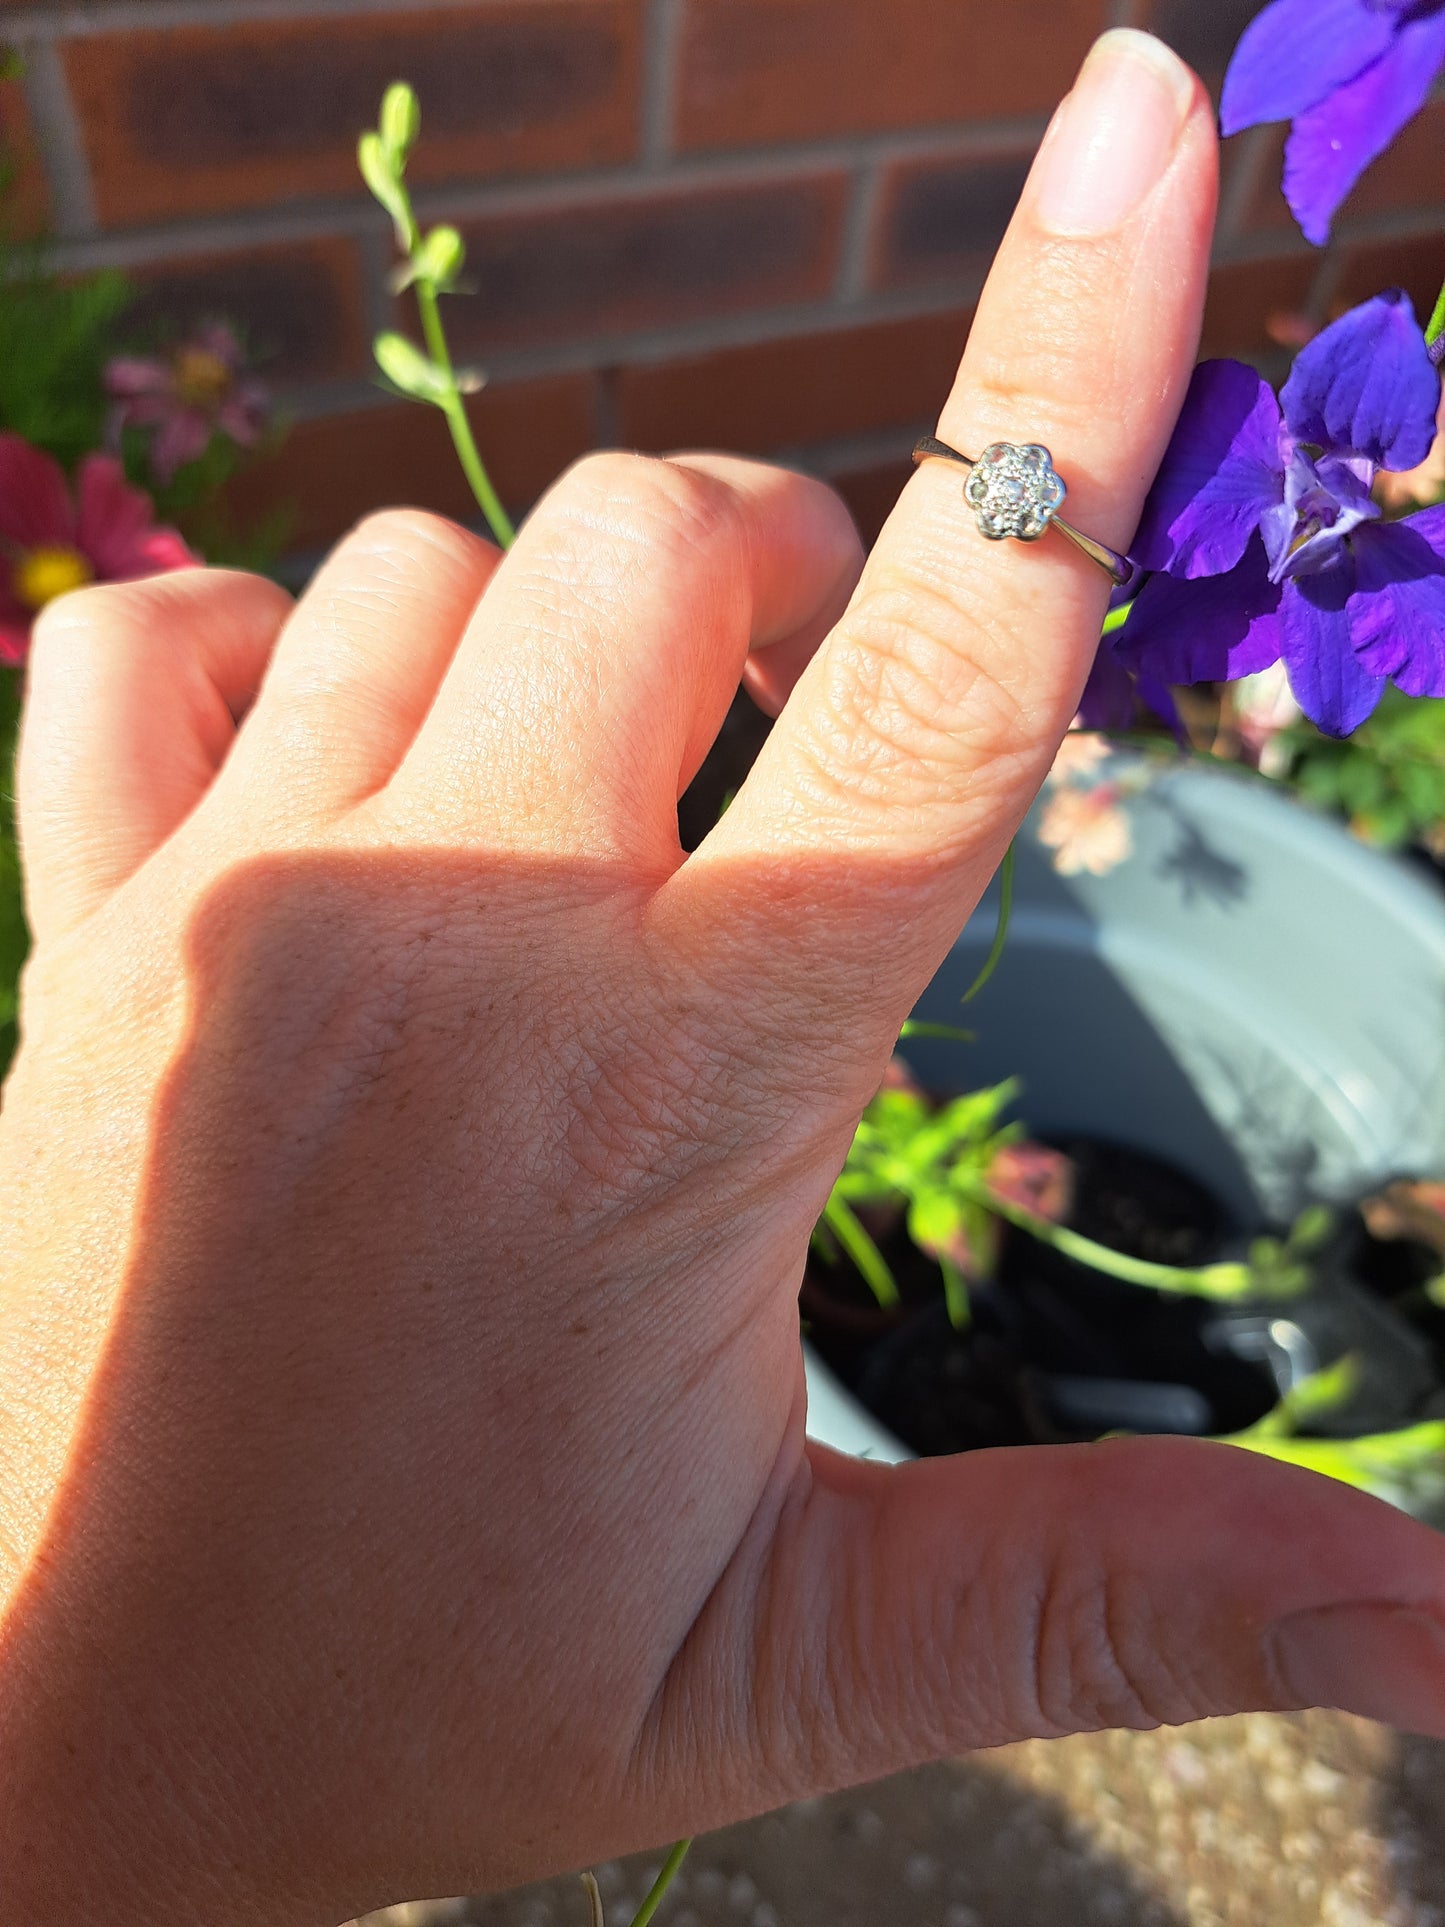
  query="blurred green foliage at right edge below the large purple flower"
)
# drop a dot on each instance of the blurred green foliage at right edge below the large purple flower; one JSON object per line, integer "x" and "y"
{"x": 1388, "y": 779}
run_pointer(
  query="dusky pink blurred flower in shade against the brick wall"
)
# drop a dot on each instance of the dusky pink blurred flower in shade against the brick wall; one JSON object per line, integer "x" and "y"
{"x": 201, "y": 388}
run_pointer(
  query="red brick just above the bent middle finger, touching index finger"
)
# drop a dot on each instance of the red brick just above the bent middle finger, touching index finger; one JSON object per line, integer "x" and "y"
{"x": 789, "y": 394}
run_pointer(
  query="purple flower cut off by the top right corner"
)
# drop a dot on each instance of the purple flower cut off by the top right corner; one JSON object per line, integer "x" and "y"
{"x": 1350, "y": 74}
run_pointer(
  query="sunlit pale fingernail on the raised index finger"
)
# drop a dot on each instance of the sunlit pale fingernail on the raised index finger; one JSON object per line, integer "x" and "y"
{"x": 1113, "y": 140}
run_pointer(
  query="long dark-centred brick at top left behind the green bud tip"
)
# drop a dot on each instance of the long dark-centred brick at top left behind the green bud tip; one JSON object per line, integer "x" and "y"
{"x": 190, "y": 120}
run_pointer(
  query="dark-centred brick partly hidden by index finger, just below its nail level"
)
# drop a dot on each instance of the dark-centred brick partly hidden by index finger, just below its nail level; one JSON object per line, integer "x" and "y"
{"x": 943, "y": 221}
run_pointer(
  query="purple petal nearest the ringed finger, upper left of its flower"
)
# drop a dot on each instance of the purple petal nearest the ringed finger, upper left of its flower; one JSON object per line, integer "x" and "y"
{"x": 1221, "y": 475}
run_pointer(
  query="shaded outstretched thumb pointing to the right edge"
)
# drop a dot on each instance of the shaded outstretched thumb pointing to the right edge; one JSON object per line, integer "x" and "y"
{"x": 893, "y": 1616}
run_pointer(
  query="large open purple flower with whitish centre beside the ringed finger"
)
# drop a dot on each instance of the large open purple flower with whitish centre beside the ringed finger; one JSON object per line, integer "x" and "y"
{"x": 1269, "y": 542}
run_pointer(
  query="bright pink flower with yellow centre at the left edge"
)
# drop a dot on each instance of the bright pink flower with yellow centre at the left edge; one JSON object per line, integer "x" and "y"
{"x": 51, "y": 544}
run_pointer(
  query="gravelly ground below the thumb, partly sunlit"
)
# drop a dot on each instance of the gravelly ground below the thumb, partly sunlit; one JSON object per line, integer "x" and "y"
{"x": 1259, "y": 1822}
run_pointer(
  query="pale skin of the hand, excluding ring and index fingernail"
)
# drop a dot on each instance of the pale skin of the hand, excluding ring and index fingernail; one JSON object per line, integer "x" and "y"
{"x": 411, "y": 1161}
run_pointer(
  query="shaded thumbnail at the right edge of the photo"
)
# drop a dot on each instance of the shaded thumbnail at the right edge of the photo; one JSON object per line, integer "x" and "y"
{"x": 1382, "y": 1662}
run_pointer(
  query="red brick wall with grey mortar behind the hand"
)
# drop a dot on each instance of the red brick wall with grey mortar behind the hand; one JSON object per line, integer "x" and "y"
{"x": 756, "y": 224}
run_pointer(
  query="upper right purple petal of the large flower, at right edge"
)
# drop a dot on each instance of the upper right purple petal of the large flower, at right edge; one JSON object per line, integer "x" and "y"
{"x": 1367, "y": 386}
